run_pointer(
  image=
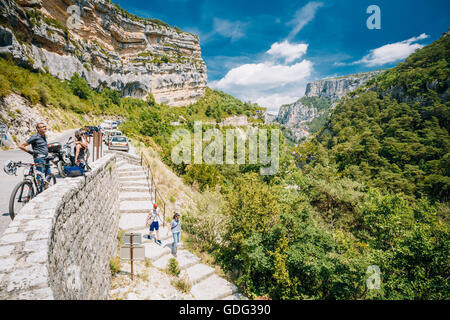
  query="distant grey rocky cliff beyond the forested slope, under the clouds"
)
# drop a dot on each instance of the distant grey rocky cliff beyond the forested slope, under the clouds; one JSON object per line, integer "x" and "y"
{"x": 305, "y": 116}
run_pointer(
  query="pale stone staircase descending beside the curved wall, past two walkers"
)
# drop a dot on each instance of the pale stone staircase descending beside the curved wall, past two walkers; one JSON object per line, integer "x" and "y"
{"x": 135, "y": 203}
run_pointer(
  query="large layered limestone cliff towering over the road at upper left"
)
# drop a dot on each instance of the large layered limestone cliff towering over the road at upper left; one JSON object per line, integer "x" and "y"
{"x": 105, "y": 45}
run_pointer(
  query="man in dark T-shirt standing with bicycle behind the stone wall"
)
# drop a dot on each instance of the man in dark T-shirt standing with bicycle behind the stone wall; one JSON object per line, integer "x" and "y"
{"x": 38, "y": 142}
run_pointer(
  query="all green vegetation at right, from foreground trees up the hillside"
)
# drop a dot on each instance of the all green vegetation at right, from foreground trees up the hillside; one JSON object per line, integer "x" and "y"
{"x": 373, "y": 190}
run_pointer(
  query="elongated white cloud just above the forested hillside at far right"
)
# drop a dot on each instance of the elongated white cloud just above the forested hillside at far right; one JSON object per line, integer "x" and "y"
{"x": 392, "y": 52}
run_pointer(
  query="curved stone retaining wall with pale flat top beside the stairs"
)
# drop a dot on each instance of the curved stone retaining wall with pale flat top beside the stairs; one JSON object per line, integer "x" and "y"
{"x": 60, "y": 244}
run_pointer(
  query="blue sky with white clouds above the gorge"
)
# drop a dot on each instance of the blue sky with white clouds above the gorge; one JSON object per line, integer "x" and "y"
{"x": 267, "y": 51}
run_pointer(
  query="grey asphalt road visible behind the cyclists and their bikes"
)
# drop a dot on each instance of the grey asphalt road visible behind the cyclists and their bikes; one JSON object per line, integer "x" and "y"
{"x": 8, "y": 182}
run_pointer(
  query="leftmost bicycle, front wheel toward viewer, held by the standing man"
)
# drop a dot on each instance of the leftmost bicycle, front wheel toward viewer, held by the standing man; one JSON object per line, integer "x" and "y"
{"x": 33, "y": 183}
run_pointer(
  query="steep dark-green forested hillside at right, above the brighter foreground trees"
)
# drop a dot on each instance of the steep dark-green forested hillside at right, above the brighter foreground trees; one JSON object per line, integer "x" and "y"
{"x": 394, "y": 132}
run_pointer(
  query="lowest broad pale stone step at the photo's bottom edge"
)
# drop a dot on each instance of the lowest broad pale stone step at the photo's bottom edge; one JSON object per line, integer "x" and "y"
{"x": 213, "y": 288}
